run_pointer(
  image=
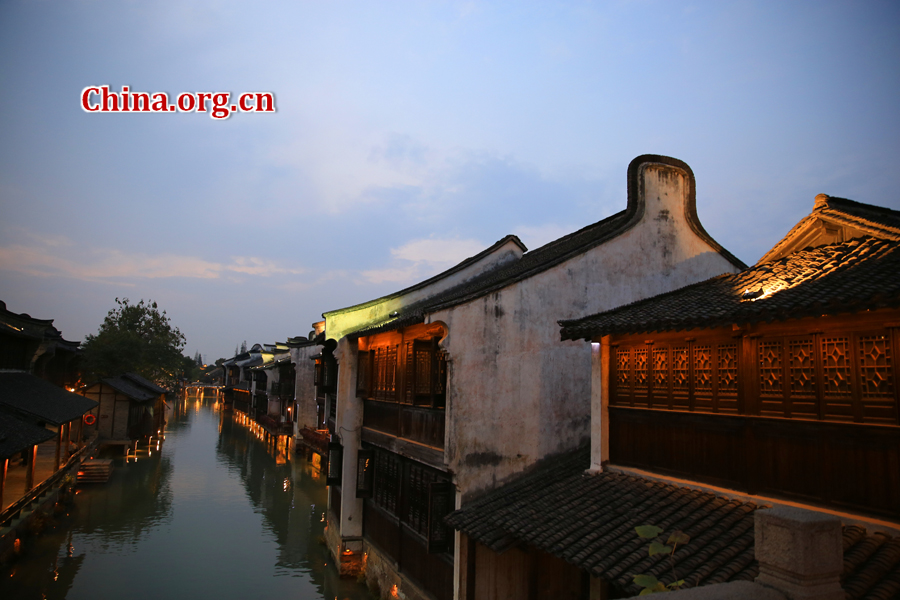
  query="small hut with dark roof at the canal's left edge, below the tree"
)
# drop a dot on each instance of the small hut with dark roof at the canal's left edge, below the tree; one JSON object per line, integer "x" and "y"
{"x": 129, "y": 408}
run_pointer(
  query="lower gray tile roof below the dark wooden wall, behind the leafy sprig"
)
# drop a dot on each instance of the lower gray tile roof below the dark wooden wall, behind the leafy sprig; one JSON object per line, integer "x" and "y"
{"x": 588, "y": 520}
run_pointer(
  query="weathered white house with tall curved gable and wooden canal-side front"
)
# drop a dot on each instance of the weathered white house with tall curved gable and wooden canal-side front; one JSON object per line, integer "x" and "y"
{"x": 446, "y": 389}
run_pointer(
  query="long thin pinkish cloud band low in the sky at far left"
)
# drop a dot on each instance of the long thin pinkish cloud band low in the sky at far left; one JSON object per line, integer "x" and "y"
{"x": 46, "y": 256}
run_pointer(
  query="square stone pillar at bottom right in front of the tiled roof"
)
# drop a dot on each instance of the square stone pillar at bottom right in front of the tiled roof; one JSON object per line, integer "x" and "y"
{"x": 800, "y": 553}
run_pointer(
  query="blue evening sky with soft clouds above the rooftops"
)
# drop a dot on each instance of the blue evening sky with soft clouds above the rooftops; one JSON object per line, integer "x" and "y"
{"x": 407, "y": 136}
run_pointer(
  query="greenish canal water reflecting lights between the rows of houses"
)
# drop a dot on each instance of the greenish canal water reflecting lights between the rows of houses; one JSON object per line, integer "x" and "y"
{"x": 211, "y": 512}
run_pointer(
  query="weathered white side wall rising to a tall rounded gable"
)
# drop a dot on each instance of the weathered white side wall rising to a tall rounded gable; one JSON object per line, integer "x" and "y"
{"x": 516, "y": 392}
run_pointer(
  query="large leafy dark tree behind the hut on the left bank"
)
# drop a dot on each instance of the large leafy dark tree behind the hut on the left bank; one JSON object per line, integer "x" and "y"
{"x": 135, "y": 337}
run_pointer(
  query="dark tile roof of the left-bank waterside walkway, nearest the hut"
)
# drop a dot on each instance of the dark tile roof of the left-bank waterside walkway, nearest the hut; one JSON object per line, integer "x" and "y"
{"x": 32, "y": 396}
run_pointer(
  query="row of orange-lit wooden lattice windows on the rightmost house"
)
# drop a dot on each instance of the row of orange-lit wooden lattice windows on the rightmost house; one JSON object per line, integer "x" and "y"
{"x": 840, "y": 375}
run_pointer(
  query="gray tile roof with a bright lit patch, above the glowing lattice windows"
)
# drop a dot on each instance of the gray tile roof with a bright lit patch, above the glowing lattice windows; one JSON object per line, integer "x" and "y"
{"x": 856, "y": 275}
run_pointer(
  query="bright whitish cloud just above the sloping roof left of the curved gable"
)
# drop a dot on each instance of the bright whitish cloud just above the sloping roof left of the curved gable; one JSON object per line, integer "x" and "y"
{"x": 420, "y": 259}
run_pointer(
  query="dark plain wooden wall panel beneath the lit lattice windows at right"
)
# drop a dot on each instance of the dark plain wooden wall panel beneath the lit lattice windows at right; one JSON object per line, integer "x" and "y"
{"x": 850, "y": 466}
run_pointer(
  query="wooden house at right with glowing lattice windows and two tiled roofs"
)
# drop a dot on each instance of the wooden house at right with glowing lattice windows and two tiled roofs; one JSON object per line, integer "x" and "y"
{"x": 776, "y": 385}
